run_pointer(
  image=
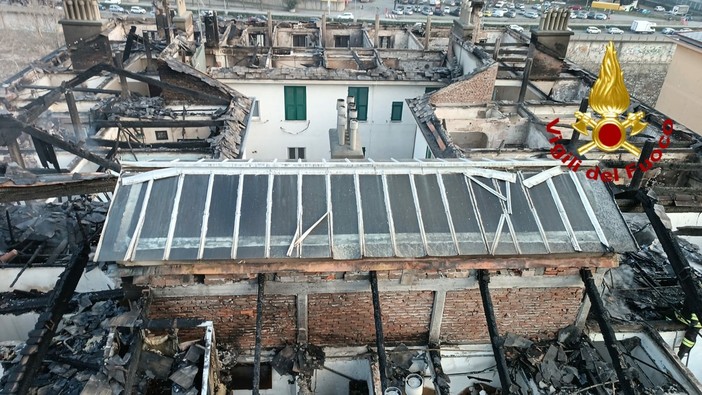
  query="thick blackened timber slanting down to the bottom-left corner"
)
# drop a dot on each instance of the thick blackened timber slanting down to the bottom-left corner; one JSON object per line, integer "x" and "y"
{"x": 21, "y": 377}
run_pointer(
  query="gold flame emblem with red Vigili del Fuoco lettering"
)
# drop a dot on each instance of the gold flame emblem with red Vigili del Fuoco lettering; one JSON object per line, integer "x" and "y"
{"x": 609, "y": 99}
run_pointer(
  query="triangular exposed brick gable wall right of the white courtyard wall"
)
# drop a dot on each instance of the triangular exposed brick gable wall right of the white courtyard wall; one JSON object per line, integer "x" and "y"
{"x": 475, "y": 90}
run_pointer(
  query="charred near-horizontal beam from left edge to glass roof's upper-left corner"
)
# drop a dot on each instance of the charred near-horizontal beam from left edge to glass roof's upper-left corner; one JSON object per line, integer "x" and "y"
{"x": 55, "y": 189}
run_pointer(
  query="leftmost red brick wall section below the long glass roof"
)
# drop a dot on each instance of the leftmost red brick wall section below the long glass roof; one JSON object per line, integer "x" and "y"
{"x": 234, "y": 317}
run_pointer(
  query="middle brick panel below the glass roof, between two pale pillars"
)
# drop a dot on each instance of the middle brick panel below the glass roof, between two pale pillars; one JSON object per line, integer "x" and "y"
{"x": 347, "y": 319}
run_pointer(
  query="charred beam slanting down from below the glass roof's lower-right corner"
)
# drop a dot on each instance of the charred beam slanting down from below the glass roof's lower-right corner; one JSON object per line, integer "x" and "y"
{"x": 613, "y": 347}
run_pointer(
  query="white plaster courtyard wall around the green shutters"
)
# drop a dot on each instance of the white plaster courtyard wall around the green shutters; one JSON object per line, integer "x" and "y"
{"x": 270, "y": 136}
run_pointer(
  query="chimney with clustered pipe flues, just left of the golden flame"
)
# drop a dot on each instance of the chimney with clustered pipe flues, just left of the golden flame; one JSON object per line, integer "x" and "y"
{"x": 549, "y": 44}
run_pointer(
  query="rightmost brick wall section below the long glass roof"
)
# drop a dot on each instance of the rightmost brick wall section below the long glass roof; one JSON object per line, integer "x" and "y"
{"x": 524, "y": 311}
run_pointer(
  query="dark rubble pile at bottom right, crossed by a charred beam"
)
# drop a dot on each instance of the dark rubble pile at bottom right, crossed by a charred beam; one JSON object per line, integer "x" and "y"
{"x": 573, "y": 364}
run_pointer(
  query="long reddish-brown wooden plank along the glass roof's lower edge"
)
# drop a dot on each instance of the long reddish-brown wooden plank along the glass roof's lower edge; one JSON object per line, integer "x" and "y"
{"x": 216, "y": 267}
